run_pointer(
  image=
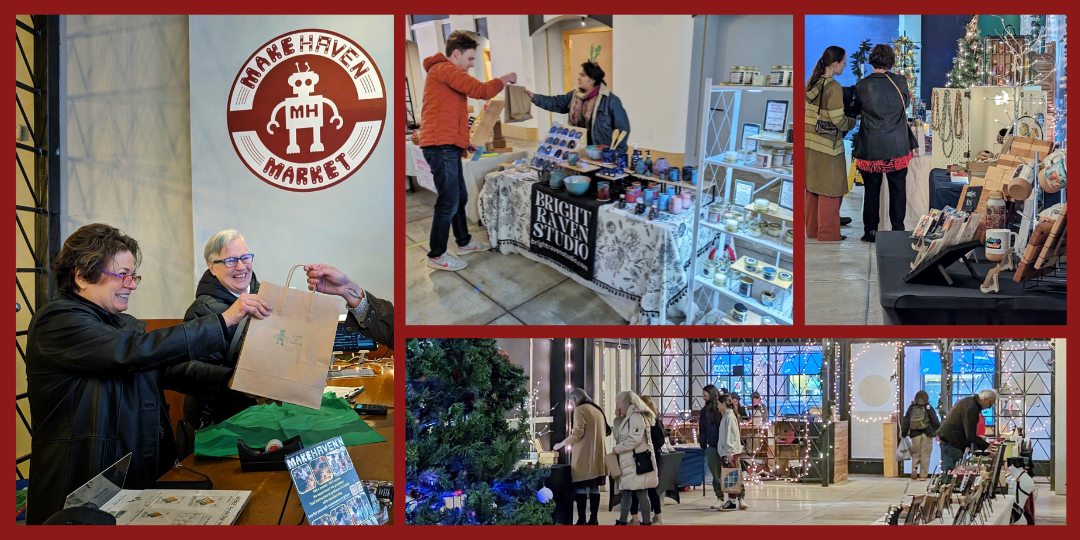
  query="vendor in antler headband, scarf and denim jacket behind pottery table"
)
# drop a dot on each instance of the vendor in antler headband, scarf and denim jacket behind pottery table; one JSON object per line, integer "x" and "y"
{"x": 592, "y": 106}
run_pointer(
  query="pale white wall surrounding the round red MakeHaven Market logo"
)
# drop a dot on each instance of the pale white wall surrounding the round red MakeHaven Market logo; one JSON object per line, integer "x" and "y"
{"x": 349, "y": 225}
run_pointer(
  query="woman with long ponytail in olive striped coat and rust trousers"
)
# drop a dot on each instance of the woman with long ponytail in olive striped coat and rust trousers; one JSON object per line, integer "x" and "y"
{"x": 827, "y": 175}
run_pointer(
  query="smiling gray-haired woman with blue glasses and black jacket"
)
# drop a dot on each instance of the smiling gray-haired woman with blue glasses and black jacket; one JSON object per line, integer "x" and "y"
{"x": 229, "y": 275}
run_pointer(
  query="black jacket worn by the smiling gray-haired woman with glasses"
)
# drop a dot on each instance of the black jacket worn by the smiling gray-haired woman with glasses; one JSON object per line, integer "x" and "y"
{"x": 212, "y": 299}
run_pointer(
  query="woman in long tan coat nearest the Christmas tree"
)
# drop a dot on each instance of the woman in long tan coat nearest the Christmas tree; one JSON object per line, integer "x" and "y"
{"x": 587, "y": 458}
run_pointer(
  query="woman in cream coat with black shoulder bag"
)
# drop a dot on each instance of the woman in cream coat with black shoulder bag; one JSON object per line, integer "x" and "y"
{"x": 632, "y": 437}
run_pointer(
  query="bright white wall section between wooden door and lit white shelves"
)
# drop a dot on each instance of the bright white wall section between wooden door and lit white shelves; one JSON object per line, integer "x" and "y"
{"x": 656, "y": 50}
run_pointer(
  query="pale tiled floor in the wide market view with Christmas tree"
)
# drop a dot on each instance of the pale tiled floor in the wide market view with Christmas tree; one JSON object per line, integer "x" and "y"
{"x": 861, "y": 501}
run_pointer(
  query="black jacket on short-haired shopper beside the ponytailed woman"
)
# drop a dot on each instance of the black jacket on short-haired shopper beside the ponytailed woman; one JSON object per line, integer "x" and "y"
{"x": 883, "y": 128}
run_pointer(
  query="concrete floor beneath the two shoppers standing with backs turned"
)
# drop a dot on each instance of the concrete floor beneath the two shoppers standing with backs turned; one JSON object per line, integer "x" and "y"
{"x": 842, "y": 285}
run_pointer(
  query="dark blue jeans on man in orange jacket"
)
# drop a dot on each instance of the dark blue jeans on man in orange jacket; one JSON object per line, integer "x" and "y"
{"x": 445, "y": 163}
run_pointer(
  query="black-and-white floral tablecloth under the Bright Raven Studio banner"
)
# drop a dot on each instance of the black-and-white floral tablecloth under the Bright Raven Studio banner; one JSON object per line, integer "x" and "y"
{"x": 642, "y": 266}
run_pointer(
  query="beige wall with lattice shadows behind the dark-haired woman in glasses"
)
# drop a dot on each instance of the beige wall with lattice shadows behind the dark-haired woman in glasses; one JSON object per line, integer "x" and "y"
{"x": 126, "y": 155}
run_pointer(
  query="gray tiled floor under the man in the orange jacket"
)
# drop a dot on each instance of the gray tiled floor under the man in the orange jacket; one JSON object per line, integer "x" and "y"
{"x": 495, "y": 289}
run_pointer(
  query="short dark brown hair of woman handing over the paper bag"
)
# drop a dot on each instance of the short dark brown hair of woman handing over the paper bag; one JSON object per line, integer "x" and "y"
{"x": 88, "y": 251}
